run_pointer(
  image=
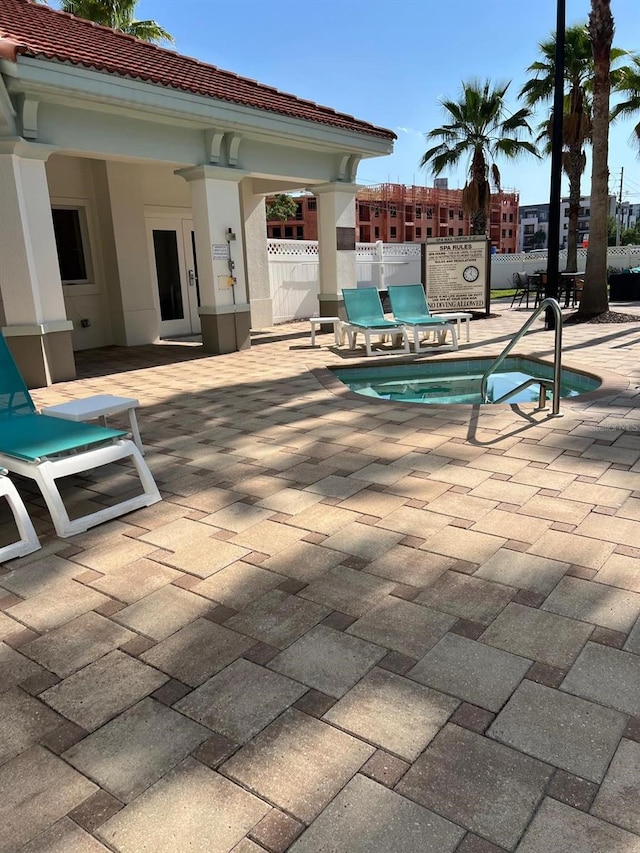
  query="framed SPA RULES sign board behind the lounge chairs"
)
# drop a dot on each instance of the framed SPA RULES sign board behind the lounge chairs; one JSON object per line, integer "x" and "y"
{"x": 457, "y": 273}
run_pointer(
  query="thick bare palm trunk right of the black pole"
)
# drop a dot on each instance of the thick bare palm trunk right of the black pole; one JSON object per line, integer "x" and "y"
{"x": 601, "y": 28}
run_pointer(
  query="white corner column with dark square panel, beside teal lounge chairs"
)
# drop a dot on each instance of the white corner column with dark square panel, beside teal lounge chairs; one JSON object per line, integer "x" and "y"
{"x": 336, "y": 244}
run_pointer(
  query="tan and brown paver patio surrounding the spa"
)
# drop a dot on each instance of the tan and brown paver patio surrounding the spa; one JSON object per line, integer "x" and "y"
{"x": 350, "y": 625}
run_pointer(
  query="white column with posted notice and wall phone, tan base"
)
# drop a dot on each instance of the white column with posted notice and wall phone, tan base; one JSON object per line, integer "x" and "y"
{"x": 224, "y": 310}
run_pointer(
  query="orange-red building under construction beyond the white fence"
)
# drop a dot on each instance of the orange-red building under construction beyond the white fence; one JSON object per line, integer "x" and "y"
{"x": 395, "y": 213}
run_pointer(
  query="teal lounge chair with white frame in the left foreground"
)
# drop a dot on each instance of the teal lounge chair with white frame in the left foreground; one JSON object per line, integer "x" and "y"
{"x": 45, "y": 448}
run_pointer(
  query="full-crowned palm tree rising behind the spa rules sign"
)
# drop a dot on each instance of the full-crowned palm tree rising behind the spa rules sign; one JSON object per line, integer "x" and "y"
{"x": 482, "y": 129}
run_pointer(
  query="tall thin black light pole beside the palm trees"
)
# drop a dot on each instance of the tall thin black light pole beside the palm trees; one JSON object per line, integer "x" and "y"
{"x": 553, "y": 259}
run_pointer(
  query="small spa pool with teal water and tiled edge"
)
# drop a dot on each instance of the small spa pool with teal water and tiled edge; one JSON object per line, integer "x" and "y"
{"x": 459, "y": 381}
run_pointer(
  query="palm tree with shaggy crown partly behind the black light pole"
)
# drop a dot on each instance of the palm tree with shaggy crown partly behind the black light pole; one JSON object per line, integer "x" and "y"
{"x": 576, "y": 126}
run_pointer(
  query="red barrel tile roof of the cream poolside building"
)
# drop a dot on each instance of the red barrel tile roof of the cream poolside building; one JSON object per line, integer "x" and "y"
{"x": 35, "y": 30}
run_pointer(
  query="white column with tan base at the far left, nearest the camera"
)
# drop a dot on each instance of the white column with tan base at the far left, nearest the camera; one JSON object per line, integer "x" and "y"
{"x": 36, "y": 326}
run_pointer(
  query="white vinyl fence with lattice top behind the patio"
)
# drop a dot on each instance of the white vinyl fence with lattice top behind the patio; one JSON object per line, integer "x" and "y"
{"x": 294, "y": 279}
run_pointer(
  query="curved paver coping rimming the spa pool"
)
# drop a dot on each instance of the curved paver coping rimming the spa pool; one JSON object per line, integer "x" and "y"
{"x": 612, "y": 384}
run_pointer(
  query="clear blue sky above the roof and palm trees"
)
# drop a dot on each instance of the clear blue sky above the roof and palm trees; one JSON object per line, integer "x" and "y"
{"x": 390, "y": 62}
